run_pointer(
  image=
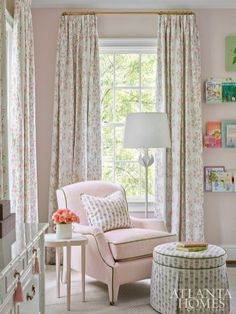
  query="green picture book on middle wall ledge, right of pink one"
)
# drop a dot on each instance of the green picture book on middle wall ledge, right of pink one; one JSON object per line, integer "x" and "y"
{"x": 228, "y": 133}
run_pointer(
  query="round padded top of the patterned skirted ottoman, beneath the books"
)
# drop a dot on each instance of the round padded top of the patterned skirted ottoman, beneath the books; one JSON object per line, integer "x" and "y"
{"x": 167, "y": 255}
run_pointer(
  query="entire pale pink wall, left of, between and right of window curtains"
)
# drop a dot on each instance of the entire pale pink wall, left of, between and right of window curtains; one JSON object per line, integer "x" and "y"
{"x": 220, "y": 211}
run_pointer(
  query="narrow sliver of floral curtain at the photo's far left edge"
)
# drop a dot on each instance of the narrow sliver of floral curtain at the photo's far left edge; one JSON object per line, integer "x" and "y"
{"x": 3, "y": 106}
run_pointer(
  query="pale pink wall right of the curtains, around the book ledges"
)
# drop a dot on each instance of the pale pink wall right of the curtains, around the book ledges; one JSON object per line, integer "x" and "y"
{"x": 220, "y": 208}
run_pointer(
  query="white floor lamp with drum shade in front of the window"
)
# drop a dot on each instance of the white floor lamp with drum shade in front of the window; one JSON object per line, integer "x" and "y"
{"x": 144, "y": 131}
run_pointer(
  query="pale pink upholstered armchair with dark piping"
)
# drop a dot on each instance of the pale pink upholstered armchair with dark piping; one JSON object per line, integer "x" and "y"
{"x": 118, "y": 256}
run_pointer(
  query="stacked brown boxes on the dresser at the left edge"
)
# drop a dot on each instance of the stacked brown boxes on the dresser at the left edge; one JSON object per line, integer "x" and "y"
{"x": 7, "y": 219}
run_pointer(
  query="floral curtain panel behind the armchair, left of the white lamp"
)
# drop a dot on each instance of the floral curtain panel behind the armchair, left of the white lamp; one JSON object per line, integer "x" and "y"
{"x": 76, "y": 141}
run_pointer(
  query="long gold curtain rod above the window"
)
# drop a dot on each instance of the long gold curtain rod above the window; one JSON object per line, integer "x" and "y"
{"x": 131, "y": 12}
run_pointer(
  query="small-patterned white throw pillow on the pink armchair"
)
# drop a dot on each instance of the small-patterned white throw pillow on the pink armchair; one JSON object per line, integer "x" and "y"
{"x": 108, "y": 213}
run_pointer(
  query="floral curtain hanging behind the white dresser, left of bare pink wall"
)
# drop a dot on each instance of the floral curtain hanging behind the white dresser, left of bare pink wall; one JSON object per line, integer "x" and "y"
{"x": 23, "y": 167}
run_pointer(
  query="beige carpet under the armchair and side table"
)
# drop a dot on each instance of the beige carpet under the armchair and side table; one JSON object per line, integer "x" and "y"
{"x": 133, "y": 298}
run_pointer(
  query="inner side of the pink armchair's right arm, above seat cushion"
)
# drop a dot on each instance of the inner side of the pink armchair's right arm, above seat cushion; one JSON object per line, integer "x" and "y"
{"x": 148, "y": 223}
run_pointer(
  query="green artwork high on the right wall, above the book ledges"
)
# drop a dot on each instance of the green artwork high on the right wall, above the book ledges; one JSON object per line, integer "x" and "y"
{"x": 230, "y": 53}
